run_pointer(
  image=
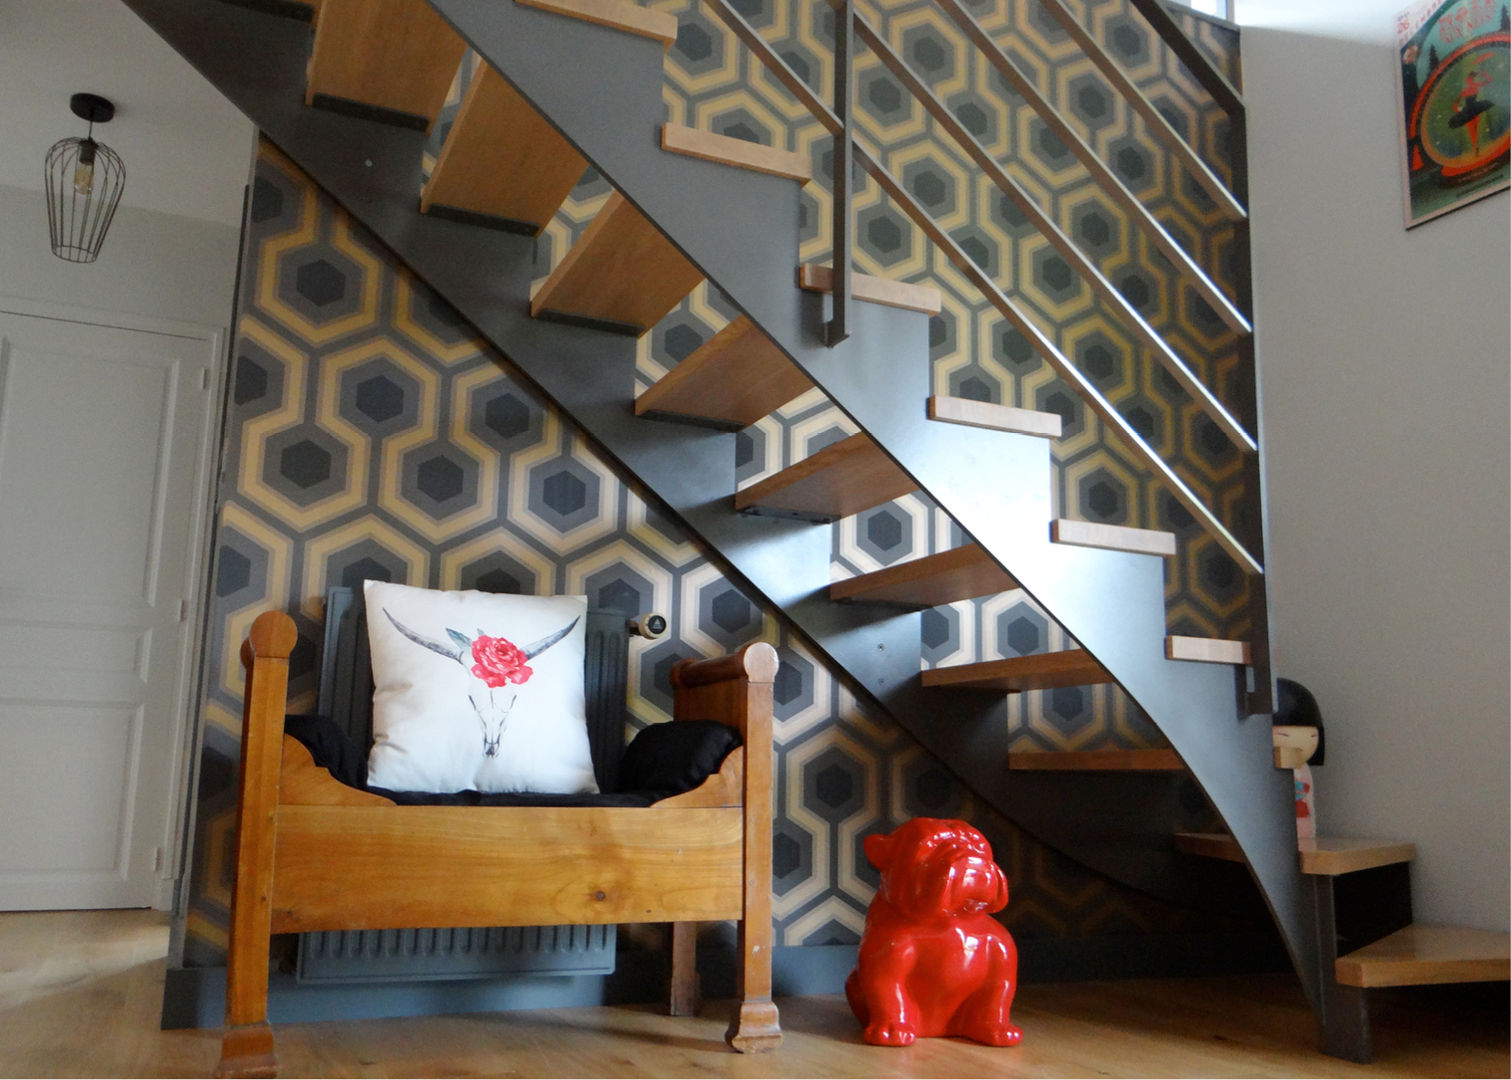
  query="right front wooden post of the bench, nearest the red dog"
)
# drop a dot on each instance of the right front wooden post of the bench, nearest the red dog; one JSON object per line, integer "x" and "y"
{"x": 740, "y": 687}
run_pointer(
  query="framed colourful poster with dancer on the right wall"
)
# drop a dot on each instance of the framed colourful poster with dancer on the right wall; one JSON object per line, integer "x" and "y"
{"x": 1454, "y": 81}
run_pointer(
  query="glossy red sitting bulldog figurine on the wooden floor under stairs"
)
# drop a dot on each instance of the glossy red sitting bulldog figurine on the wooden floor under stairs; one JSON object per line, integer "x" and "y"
{"x": 933, "y": 960}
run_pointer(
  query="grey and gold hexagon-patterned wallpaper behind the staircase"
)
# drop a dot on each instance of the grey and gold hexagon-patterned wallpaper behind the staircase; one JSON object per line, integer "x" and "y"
{"x": 371, "y": 434}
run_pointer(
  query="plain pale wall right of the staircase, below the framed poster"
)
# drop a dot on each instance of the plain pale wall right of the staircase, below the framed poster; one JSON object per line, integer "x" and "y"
{"x": 1386, "y": 369}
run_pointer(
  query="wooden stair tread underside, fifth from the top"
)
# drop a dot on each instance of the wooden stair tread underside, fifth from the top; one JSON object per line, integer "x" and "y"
{"x": 841, "y": 480}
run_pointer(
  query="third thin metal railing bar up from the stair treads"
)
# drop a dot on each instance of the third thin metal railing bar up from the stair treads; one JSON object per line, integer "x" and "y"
{"x": 1210, "y": 291}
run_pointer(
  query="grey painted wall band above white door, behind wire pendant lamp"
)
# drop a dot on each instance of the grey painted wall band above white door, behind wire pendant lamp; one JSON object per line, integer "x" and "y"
{"x": 155, "y": 265}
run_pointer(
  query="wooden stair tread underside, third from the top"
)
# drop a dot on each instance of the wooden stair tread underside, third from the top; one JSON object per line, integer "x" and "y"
{"x": 623, "y": 274}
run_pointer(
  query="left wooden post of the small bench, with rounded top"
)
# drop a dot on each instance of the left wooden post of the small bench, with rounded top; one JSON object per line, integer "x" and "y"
{"x": 247, "y": 1048}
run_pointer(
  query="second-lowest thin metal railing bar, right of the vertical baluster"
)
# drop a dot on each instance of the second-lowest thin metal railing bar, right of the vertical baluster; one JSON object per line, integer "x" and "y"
{"x": 1063, "y": 244}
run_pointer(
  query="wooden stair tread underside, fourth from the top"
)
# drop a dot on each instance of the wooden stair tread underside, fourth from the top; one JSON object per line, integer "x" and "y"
{"x": 731, "y": 381}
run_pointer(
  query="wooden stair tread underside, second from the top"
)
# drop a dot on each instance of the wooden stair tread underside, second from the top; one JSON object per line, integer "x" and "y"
{"x": 502, "y": 164}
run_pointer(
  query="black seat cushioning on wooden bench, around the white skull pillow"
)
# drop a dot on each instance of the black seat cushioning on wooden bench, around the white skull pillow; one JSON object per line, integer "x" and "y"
{"x": 661, "y": 762}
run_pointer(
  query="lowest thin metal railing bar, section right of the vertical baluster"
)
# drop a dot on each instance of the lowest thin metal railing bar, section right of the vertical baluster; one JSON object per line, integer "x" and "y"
{"x": 1051, "y": 353}
